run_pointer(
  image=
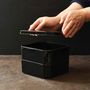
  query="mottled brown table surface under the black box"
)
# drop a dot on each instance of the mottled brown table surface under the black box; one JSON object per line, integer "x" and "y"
{"x": 12, "y": 78}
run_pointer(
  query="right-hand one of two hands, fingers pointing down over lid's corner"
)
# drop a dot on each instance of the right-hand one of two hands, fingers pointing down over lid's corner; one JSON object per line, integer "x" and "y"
{"x": 72, "y": 22}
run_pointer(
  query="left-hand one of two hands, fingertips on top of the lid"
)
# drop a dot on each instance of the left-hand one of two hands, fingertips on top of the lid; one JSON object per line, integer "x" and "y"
{"x": 44, "y": 23}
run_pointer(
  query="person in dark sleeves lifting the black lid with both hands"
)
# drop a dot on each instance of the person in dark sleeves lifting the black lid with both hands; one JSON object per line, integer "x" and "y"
{"x": 71, "y": 19}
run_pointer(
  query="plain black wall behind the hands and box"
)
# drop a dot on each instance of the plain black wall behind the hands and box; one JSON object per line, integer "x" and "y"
{"x": 16, "y": 15}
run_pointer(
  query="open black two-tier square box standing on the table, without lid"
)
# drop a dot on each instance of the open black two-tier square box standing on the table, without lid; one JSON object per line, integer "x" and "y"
{"x": 45, "y": 59}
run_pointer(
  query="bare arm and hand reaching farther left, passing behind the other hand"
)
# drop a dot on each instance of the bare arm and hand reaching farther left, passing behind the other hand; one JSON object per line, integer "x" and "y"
{"x": 52, "y": 22}
